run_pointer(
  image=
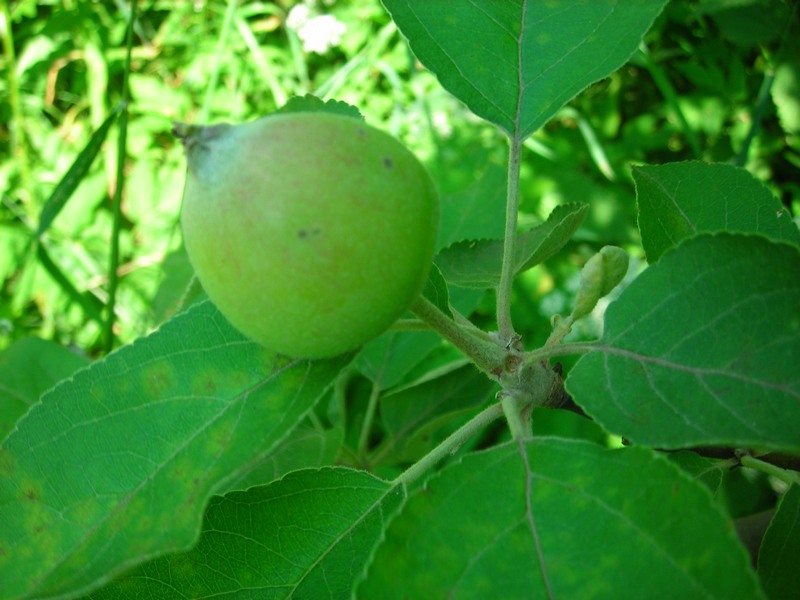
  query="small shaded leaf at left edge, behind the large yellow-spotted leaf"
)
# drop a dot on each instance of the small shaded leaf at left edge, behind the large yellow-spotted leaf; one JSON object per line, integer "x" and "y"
{"x": 27, "y": 368}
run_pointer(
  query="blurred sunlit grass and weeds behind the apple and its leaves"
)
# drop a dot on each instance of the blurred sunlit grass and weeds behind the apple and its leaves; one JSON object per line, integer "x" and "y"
{"x": 715, "y": 80}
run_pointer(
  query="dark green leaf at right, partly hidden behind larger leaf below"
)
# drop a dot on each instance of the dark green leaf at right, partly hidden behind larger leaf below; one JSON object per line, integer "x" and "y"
{"x": 680, "y": 200}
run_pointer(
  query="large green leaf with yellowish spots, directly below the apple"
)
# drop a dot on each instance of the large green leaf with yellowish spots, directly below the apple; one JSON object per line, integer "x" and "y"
{"x": 116, "y": 465}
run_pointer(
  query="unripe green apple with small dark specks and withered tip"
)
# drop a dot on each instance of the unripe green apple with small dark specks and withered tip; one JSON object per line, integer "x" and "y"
{"x": 311, "y": 232}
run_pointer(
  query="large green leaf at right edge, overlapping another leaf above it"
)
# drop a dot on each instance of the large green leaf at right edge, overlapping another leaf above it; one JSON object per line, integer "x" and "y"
{"x": 702, "y": 349}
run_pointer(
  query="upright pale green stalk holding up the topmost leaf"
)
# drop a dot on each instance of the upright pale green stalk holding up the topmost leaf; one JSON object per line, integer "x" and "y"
{"x": 507, "y": 273}
